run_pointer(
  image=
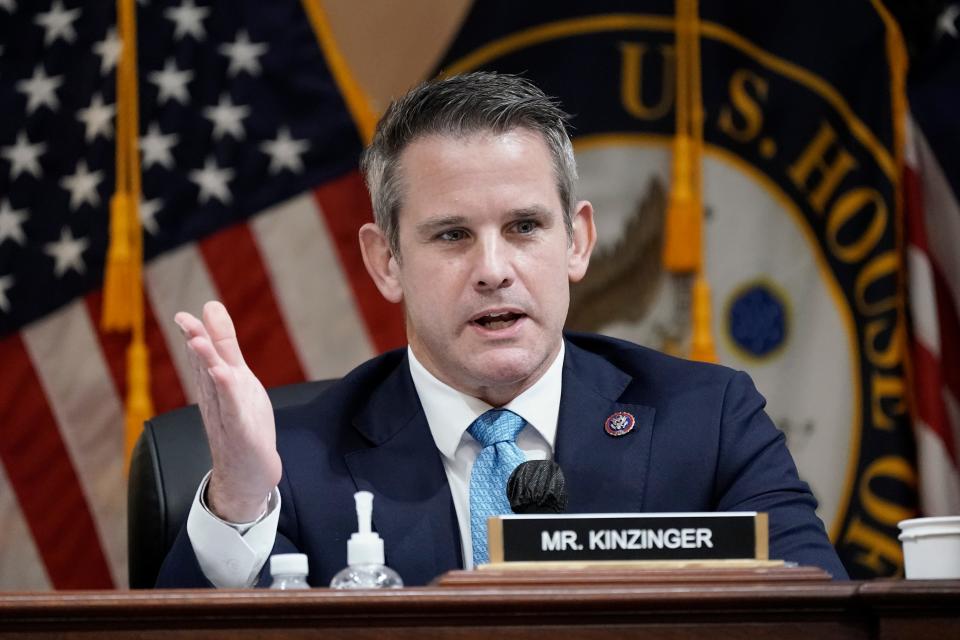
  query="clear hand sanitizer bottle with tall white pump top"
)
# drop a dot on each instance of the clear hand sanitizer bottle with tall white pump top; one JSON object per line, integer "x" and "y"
{"x": 365, "y": 568}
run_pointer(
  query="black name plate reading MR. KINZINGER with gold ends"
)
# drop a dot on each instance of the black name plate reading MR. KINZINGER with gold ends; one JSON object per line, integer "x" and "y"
{"x": 628, "y": 536}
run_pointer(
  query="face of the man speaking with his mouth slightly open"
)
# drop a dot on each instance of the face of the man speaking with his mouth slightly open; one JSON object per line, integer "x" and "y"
{"x": 485, "y": 259}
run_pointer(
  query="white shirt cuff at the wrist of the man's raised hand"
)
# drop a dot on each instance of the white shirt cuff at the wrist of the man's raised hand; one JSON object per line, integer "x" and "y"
{"x": 230, "y": 554}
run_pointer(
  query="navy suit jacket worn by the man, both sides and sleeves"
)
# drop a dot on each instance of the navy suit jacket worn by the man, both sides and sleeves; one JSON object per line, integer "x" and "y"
{"x": 702, "y": 442}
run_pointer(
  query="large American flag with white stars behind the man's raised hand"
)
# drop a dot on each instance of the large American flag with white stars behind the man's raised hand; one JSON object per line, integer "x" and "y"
{"x": 250, "y": 195}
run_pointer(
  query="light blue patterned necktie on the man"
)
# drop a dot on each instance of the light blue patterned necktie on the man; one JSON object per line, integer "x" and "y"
{"x": 496, "y": 431}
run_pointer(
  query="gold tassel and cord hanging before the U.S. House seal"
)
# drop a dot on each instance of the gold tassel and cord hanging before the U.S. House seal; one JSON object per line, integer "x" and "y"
{"x": 683, "y": 244}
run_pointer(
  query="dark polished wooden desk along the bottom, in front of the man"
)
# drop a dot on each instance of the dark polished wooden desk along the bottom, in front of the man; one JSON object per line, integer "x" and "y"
{"x": 682, "y": 609}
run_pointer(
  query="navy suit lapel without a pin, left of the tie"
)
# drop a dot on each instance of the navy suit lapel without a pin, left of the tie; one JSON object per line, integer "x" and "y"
{"x": 413, "y": 510}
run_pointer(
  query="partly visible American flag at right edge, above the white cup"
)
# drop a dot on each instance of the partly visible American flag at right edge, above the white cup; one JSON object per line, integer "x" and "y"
{"x": 933, "y": 261}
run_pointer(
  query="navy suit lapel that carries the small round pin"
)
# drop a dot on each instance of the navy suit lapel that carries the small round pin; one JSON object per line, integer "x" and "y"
{"x": 603, "y": 473}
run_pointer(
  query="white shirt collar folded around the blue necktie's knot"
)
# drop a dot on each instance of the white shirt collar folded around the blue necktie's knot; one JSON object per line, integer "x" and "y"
{"x": 450, "y": 412}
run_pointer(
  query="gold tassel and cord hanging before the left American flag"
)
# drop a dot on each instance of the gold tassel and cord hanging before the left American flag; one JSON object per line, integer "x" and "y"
{"x": 123, "y": 278}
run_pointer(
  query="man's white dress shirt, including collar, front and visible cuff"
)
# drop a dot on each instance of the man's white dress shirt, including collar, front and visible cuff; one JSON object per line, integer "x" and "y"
{"x": 231, "y": 555}
